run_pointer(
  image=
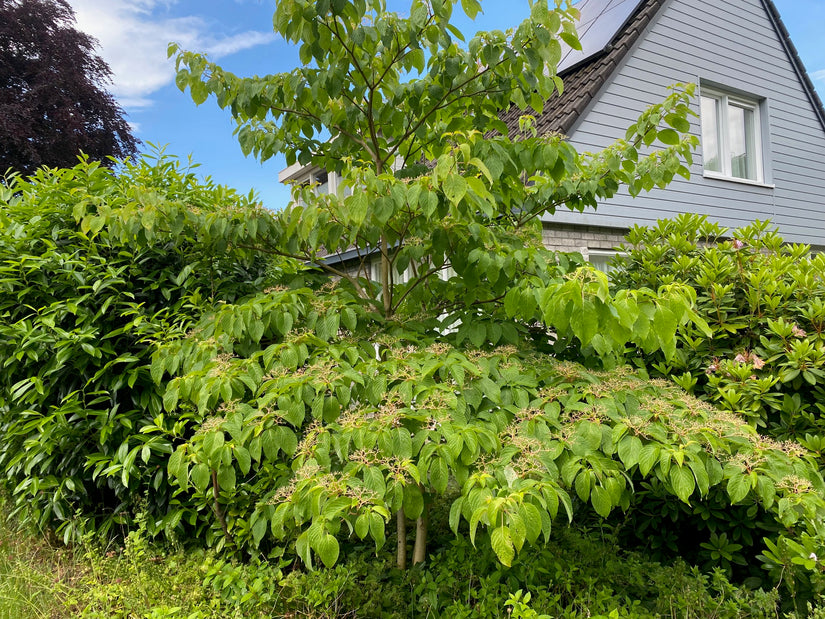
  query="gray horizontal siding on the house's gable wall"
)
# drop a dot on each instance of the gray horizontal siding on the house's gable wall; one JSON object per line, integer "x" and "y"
{"x": 732, "y": 44}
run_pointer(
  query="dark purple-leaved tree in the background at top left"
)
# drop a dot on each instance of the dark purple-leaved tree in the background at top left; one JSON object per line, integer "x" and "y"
{"x": 53, "y": 102}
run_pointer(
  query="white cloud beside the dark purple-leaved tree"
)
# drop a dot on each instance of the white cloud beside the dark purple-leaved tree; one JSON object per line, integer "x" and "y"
{"x": 133, "y": 38}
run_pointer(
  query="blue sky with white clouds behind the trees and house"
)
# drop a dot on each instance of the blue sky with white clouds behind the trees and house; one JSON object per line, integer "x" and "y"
{"x": 133, "y": 36}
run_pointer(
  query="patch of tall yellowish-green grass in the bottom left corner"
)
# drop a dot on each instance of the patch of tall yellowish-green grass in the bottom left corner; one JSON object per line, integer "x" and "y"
{"x": 39, "y": 580}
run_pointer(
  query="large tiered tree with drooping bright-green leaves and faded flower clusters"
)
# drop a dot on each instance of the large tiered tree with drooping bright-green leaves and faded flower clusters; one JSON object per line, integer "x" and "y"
{"x": 362, "y": 399}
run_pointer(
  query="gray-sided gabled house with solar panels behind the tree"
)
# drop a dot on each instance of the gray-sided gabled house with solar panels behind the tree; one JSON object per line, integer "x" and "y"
{"x": 759, "y": 119}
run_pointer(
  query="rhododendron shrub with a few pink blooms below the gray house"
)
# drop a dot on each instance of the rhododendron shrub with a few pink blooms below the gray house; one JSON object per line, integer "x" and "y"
{"x": 764, "y": 302}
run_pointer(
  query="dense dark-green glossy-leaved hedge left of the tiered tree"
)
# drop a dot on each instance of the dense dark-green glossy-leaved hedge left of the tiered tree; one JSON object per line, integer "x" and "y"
{"x": 81, "y": 310}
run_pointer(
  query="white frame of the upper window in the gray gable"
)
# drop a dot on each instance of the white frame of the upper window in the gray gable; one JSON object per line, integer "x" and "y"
{"x": 726, "y": 99}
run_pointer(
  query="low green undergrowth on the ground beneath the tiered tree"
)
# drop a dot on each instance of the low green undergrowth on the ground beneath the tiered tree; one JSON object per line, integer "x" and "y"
{"x": 578, "y": 573}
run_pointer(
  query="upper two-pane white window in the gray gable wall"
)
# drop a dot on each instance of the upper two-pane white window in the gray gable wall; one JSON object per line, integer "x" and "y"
{"x": 731, "y": 136}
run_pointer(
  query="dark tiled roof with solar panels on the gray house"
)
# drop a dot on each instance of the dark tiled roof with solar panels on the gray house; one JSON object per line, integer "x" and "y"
{"x": 585, "y": 73}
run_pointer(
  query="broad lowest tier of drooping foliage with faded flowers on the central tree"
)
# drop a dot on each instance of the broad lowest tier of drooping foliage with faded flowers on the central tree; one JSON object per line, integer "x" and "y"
{"x": 328, "y": 429}
